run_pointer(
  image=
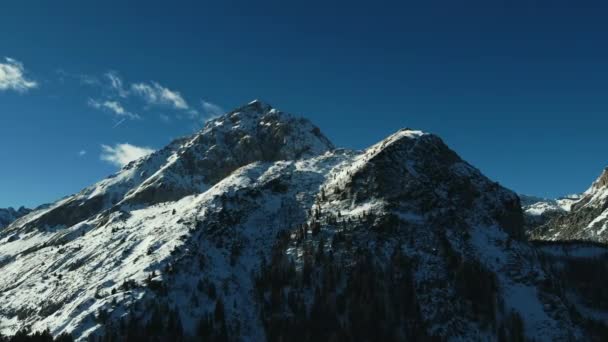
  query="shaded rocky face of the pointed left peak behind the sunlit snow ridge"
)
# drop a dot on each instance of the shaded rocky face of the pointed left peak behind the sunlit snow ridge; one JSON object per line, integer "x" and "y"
{"x": 254, "y": 132}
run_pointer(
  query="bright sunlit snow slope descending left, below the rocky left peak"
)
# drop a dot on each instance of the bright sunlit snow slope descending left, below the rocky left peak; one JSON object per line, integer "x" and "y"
{"x": 70, "y": 270}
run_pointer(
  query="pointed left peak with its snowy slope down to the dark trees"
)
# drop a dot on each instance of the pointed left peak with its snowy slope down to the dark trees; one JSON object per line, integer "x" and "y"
{"x": 63, "y": 264}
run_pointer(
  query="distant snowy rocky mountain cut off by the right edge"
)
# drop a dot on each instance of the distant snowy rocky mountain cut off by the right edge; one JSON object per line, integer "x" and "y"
{"x": 587, "y": 220}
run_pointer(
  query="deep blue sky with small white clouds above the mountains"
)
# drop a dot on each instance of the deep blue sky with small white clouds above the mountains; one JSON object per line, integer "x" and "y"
{"x": 518, "y": 89}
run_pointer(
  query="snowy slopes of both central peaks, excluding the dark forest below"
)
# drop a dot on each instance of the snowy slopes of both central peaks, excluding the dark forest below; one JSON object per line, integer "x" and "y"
{"x": 205, "y": 212}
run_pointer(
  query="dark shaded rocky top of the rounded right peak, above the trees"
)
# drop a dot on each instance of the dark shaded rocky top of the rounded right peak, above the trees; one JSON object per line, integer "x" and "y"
{"x": 415, "y": 171}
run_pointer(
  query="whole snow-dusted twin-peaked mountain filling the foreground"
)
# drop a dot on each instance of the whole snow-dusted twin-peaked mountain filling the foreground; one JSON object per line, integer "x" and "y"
{"x": 258, "y": 228}
